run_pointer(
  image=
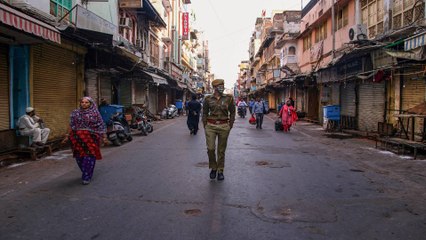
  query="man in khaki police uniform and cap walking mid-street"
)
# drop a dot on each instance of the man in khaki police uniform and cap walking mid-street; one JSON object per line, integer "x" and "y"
{"x": 218, "y": 119}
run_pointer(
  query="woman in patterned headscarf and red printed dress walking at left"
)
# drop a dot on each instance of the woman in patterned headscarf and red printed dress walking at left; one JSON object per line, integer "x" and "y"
{"x": 86, "y": 132}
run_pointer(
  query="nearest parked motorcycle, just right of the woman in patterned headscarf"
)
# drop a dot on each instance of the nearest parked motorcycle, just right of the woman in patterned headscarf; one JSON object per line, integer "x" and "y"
{"x": 118, "y": 130}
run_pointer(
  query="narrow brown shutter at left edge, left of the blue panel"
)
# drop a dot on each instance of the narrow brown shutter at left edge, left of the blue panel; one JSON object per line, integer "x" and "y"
{"x": 4, "y": 88}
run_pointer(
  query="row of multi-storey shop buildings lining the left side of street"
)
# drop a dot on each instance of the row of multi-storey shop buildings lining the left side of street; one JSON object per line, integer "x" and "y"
{"x": 123, "y": 51}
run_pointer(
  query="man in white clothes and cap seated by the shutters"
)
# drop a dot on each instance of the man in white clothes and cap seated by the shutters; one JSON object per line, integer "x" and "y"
{"x": 31, "y": 125}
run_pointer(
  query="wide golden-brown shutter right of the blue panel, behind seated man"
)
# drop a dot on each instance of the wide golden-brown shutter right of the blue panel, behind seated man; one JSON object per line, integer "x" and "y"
{"x": 54, "y": 86}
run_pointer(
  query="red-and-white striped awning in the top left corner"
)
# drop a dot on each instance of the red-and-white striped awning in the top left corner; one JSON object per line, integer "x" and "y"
{"x": 28, "y": 24}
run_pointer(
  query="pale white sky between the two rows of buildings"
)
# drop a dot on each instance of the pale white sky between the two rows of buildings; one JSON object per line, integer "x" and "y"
{"x": 228, "y": 25}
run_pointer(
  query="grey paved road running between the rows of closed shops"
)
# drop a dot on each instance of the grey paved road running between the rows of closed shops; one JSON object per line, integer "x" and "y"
{"x": 300, "y": 185}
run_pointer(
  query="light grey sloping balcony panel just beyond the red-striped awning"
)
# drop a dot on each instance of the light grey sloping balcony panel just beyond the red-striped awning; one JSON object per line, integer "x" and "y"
{"x": 88, "y": 20}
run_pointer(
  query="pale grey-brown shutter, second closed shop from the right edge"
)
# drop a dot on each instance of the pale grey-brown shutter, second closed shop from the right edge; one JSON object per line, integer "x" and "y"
{"x": 371, "y": 105}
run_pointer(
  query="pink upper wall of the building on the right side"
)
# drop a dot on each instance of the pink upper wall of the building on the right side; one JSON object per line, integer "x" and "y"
{"x": 307, "y": 59}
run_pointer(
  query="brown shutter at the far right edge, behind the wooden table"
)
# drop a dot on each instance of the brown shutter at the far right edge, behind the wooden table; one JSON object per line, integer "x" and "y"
{"x": 413, "y": 93}
